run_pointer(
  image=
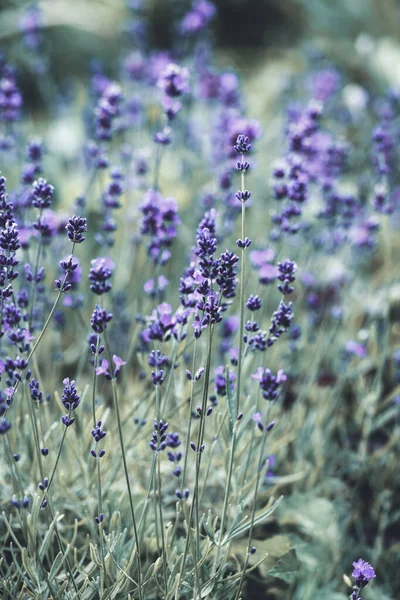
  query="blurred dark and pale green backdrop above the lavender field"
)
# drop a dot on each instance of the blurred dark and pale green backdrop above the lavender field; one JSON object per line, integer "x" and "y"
{"x": 247, "y": 33}
